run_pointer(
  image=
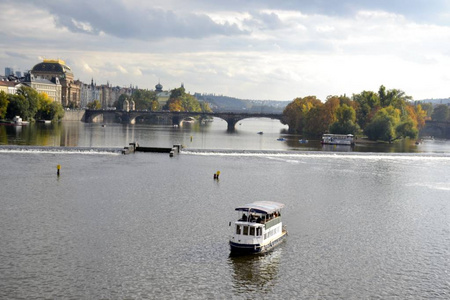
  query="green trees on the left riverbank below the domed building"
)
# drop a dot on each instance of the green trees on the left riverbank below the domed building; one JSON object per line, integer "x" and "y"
{"x": 29, "y": 105}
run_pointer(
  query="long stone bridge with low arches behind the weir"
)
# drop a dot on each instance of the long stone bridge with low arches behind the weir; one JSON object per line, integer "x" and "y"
{"x": 129, "y": 117}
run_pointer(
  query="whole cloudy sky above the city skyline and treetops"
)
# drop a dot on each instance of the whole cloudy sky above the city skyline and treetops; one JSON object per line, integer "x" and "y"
{"x": 252, "y": 49}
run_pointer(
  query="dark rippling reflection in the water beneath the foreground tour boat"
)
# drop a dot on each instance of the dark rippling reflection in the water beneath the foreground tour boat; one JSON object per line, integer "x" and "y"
{"x": 255, "y": 272}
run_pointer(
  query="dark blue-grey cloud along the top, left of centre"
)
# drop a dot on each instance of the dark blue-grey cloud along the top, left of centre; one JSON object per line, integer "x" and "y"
{"x": 134, "y": 22}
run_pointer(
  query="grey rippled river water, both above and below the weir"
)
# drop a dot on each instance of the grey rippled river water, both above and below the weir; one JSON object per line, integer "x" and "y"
{"x": 368, "y": 222}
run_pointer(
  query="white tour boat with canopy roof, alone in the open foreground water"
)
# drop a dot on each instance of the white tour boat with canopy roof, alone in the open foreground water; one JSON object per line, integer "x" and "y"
{"x": 258, "y": 228}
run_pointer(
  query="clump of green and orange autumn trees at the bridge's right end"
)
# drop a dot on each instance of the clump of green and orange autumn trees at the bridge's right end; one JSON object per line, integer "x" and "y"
{"x": 385, "y": 115}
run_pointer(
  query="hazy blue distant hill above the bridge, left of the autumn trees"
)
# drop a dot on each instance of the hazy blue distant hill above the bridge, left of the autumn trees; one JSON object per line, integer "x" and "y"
{"x": 219, "y": 103}
